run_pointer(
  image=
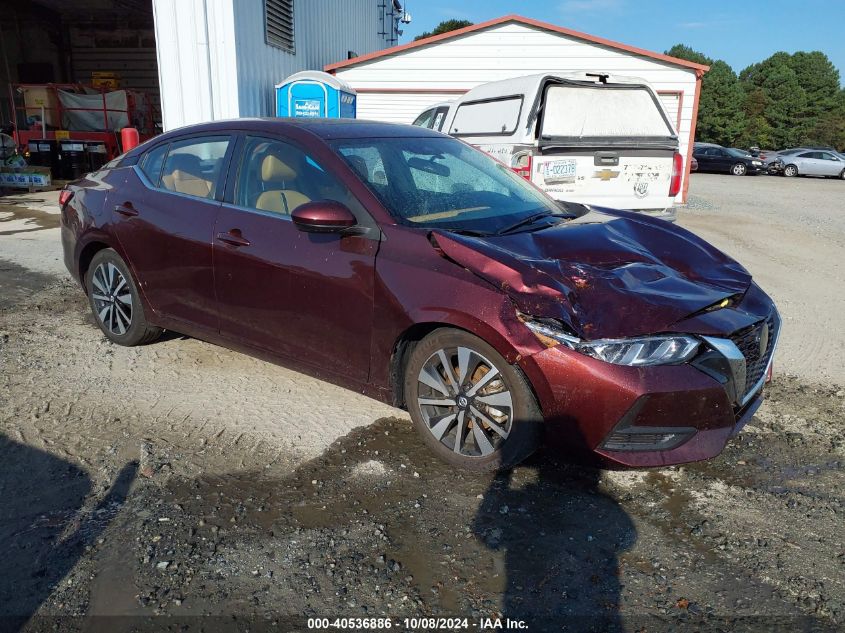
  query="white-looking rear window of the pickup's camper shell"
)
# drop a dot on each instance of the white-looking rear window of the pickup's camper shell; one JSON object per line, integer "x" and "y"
{"x": 576, "y": 111}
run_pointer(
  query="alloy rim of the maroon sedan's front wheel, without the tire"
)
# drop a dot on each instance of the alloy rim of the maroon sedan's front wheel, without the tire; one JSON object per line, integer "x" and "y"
{"x": 464, "y": 401}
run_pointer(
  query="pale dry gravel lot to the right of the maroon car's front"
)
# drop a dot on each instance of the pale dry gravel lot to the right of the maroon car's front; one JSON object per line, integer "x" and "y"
{"x": 790, "y": 233}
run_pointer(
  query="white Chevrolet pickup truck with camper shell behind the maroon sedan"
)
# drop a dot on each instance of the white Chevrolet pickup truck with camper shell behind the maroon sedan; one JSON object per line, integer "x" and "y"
{"x": 587, "y": 137}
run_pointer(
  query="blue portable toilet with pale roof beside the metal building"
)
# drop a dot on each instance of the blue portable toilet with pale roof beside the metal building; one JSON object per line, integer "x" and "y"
{"x": 314, "y": 94}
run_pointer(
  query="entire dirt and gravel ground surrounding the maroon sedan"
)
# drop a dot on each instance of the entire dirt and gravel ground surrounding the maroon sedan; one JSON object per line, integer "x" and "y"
{"x": 181, "y": 479}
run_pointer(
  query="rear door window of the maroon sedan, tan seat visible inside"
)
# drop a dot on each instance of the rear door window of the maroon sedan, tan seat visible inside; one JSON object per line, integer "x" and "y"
{"x": 193, "y": 166}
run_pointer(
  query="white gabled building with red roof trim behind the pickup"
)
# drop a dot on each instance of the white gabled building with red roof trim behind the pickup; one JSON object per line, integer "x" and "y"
{"x": 398, "y": 83}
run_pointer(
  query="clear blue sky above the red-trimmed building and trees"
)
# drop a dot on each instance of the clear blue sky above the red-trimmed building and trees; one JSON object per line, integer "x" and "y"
{"x": 740, "y": 33}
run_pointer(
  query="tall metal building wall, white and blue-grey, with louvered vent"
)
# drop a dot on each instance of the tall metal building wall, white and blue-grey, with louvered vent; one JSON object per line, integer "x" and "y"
{"x": 220, "y": 59}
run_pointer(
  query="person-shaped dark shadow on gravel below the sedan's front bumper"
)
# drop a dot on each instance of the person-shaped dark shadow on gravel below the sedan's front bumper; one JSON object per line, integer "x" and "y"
{"x": 560, "y": 537}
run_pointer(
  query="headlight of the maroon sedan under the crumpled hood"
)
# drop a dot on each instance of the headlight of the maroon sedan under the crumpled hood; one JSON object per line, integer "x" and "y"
{"x": 642, "y": 351}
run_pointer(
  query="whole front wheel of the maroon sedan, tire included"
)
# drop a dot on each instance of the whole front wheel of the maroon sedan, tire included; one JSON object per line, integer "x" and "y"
{"x": 472, "y": 408}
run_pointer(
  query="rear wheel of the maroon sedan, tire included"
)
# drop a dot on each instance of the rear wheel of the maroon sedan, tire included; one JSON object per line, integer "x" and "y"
{"x": 115, "y": 301}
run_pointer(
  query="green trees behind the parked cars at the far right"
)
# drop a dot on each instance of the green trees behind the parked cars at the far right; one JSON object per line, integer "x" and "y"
{"x": 787, "y": 100}
